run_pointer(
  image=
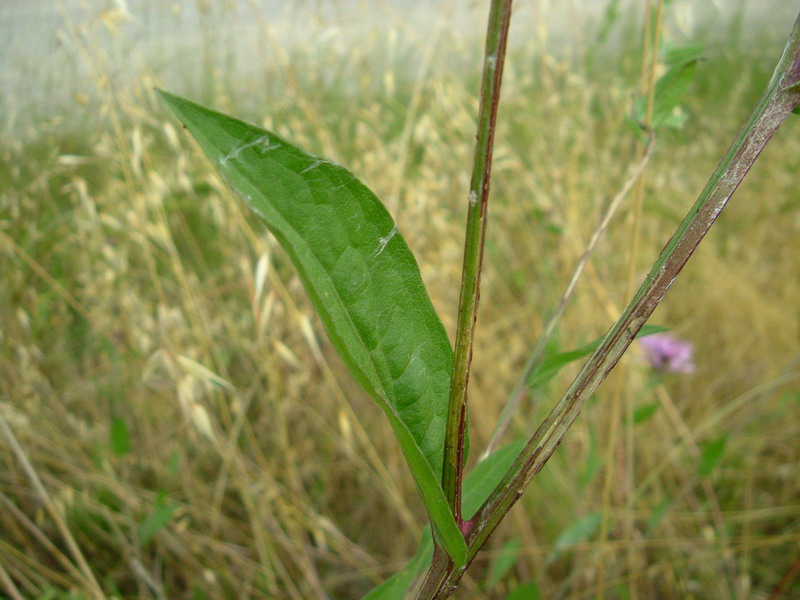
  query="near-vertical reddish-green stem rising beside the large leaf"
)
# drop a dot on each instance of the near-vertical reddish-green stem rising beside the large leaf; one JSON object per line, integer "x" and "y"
{"x": 496, "y": 38}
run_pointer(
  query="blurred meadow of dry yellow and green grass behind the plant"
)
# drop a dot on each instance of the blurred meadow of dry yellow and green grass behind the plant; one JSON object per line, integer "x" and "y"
{"x": 174, "y": 423}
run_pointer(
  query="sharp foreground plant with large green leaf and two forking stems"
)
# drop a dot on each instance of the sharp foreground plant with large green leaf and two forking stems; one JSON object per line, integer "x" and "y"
{"x": 365, "y": 285}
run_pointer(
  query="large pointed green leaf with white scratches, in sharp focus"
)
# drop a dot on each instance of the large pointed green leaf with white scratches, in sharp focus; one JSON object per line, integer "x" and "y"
{"x": 362, "y": 280}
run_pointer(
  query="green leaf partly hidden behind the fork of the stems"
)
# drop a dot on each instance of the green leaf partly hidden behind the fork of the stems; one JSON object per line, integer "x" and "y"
{"x": 478, "y": 484}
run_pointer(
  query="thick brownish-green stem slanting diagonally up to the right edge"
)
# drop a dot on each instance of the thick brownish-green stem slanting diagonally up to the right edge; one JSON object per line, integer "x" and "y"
{"x": 781, "y": 96}
